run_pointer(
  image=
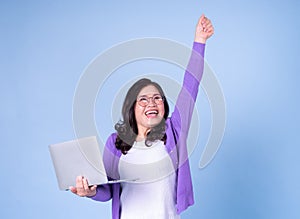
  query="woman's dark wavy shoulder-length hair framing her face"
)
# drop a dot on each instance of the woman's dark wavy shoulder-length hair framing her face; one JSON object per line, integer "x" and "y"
{"x": 127, "y": 129}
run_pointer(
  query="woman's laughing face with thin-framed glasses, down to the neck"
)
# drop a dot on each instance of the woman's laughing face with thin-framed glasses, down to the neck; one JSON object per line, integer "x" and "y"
{"x": 149, "y": 109}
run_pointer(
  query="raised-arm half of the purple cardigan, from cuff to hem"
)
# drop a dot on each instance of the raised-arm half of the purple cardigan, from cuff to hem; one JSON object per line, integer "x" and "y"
{"x": 180, "y": 123}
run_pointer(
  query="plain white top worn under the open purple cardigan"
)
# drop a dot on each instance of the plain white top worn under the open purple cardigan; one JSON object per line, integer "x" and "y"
{"x": 153, "y": 195}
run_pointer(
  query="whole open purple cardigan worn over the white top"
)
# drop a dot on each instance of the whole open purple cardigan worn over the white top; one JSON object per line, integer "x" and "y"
{"x": 177, "y": 127}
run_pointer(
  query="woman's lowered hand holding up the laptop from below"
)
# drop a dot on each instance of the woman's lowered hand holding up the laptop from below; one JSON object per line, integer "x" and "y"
{"x": 82, "y": 187}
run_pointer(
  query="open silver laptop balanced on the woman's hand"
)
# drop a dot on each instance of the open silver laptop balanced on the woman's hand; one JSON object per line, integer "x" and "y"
{"x": 79, "y": 157}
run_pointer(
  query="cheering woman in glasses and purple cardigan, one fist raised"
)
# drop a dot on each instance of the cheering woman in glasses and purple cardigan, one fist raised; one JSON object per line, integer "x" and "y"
{"x": 151, "y": 147}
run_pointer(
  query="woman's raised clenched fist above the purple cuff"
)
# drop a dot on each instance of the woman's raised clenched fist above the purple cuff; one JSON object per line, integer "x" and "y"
{"x": 204, "y": 29}
